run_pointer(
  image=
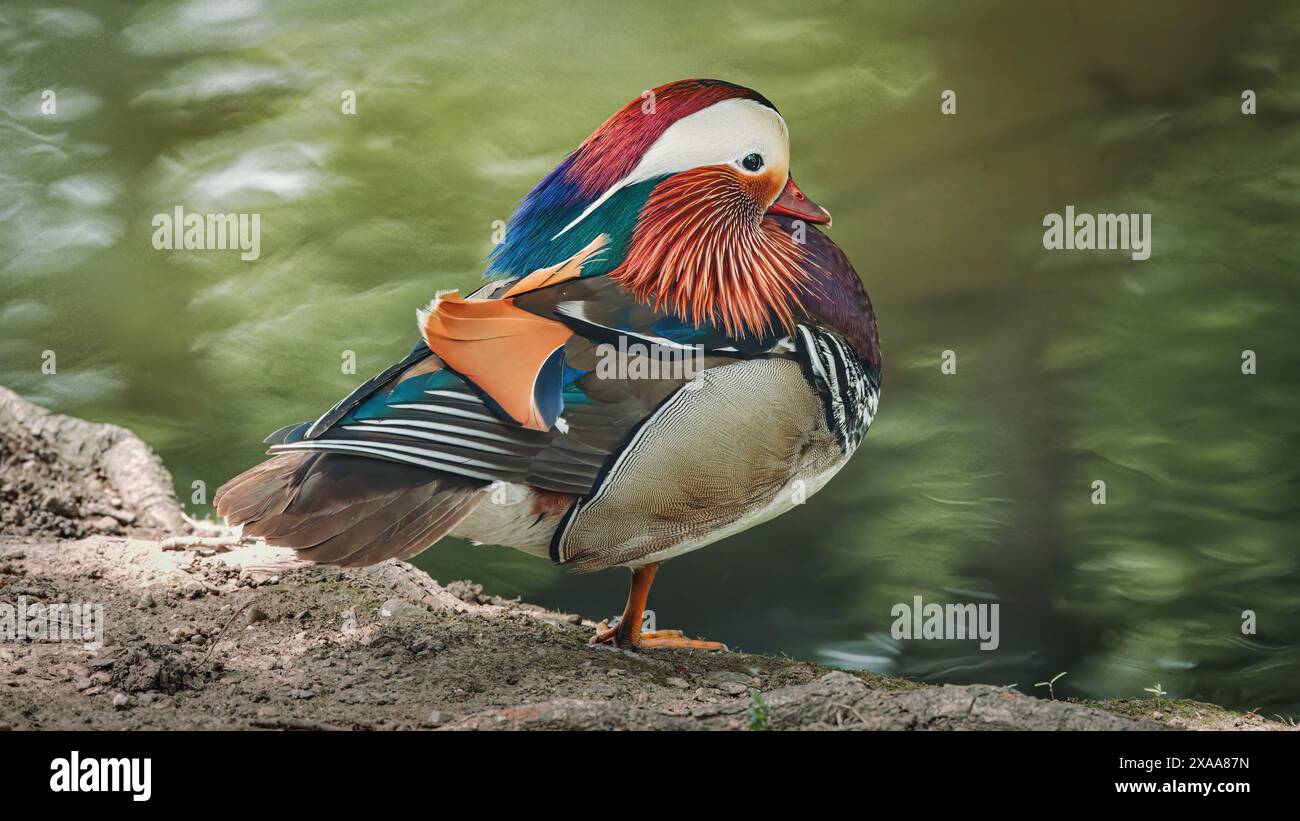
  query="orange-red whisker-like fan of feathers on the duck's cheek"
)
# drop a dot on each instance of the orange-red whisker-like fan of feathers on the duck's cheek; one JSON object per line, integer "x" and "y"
{"x": 704, "y": 251}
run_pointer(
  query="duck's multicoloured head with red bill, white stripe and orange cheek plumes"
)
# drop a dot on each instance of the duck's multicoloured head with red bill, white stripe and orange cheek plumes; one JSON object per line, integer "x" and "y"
{"x": 683, "y": 181}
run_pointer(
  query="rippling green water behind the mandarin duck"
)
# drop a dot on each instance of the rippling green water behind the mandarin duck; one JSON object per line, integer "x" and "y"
{"x": 976, "y": 486}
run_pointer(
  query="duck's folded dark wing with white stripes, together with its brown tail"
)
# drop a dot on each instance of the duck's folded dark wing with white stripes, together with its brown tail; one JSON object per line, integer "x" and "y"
{"x": 400, "y": 464}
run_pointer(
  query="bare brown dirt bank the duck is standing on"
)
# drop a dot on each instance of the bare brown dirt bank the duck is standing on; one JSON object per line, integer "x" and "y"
{"x": 205, "y": 631}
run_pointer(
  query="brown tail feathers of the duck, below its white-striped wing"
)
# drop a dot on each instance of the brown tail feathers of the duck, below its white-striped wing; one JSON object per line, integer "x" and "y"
{"x": 345, "y": 510}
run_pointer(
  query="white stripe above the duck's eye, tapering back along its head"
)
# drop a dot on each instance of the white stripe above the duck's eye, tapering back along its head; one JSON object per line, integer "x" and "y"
{"x": 723, "y": 133}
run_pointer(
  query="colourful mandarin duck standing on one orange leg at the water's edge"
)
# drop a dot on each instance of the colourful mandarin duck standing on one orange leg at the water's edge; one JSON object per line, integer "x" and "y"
{"x": 666, "y": 354}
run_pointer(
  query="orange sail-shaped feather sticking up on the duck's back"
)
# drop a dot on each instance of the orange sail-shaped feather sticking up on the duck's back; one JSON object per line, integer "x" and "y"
{"x": 499, "y": 346}
